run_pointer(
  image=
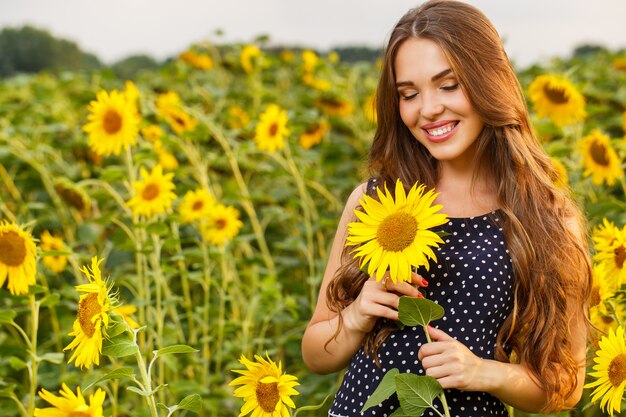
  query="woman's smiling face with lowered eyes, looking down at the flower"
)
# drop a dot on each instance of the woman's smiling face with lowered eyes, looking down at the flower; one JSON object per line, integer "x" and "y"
{"x": 433, "y": 104}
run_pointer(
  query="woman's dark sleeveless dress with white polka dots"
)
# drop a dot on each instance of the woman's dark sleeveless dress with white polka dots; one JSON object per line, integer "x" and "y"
{"x": 473, "y": 281}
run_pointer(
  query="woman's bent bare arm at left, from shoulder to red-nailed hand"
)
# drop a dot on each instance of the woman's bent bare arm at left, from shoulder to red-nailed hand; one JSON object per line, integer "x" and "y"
{"x": 359, "y": 317}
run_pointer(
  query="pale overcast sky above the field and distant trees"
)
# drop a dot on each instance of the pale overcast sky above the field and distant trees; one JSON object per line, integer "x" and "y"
{"x": 534, "y": 30}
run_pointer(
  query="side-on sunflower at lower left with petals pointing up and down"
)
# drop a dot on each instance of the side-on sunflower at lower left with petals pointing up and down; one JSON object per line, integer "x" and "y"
{"x": 92, "y": 318}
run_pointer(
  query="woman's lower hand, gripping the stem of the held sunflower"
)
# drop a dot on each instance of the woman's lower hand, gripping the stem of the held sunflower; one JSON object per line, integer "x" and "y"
{"x": 451, "y": 363}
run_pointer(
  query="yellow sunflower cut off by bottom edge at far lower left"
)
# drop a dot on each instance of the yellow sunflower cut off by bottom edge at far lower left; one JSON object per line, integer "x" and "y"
{"x": 70, "y": 404}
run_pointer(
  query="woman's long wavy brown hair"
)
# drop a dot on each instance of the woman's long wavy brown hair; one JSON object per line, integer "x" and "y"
{"x": 551, "y": 264}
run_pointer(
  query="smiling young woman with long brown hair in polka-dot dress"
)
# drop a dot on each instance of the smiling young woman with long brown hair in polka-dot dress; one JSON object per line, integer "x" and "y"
{"x": 514, "y": 273}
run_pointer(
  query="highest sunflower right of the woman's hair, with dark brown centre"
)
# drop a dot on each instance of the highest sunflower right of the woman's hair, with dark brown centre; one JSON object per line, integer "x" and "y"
{"x": 557, "y": 98}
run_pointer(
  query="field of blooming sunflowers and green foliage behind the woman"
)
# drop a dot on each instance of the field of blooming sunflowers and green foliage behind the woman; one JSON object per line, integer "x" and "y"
{"x": 162, "y": 239}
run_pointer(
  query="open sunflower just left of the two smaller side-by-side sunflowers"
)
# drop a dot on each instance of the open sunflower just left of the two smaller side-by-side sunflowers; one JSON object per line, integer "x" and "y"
{"x": 153, "y": 195}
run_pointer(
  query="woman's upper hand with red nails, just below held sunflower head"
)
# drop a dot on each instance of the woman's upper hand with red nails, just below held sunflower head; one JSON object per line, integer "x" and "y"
{"x": 379, "y": 299}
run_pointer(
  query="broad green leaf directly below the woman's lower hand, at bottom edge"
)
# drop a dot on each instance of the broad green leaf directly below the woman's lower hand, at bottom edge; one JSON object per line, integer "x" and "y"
{"x": 416, "y": 393}
